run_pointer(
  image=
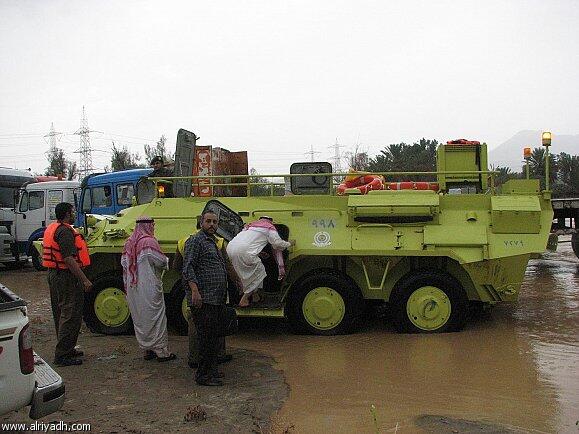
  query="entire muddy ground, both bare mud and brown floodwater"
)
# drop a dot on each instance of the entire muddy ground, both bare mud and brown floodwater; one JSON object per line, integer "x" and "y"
{"x": 514, "y": 370}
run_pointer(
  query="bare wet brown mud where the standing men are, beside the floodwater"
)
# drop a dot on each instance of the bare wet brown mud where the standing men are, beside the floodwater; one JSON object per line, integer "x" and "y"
{"x": 116, "y": 391}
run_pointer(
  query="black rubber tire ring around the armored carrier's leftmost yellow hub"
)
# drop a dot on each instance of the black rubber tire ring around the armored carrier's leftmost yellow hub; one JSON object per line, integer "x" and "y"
{"x": 115, "y": 285}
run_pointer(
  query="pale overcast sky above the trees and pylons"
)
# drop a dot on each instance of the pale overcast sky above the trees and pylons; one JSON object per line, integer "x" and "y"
{"x": 277, "y": 77}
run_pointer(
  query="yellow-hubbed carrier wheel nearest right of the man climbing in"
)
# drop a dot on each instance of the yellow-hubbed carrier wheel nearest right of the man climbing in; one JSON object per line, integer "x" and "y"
{"x": 326, "y": 303}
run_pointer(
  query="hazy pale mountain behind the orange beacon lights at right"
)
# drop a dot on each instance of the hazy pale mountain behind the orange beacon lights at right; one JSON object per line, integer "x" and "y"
{"x": 510, "y": 153}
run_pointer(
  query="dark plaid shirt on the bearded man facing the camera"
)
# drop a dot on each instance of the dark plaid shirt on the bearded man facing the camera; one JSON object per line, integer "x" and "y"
{"x": 204, "y": 265}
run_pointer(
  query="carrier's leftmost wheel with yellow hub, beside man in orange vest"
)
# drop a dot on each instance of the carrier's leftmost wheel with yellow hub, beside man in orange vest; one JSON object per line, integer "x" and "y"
{"x": 106, "y": 309}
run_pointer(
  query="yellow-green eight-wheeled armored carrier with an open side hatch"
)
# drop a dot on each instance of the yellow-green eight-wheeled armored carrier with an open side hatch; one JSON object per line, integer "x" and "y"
{"x": 430, "y": 250}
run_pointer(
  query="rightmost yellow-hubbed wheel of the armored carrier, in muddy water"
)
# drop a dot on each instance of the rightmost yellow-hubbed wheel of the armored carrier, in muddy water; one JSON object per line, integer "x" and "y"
{"x": 429, "y": 302}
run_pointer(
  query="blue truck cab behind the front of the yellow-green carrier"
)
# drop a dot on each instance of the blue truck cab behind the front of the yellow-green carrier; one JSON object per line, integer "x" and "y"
{"x": 108, "y": 193}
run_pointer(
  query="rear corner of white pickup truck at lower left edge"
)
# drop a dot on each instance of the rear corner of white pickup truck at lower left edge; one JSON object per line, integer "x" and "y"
{"x": 25, "y": 379}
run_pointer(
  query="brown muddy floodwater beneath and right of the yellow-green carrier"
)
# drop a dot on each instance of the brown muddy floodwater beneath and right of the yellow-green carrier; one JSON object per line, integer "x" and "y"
{"x": 515, "y": 370}
